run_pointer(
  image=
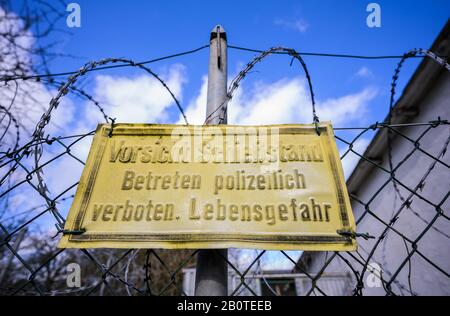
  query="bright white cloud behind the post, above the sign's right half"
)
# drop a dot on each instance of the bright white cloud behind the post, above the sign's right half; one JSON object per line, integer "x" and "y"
{"x": 284, "y": 101}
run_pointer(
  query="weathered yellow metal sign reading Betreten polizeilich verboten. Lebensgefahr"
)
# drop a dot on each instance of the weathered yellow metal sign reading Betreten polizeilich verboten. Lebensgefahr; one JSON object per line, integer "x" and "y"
{"x": 173, "y": 186}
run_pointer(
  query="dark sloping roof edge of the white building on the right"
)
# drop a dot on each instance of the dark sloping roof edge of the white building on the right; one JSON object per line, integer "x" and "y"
{"x": 406, "y": 108}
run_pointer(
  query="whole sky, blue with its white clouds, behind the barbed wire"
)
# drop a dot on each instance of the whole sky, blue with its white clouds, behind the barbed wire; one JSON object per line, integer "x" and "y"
{"x": 350, "y": 92}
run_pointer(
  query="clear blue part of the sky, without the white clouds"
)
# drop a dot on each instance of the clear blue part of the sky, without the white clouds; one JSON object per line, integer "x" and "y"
{"x": 142, "y": 30}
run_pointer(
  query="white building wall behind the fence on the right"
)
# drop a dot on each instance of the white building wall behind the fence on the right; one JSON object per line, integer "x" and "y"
{"x": 391, "y": 252}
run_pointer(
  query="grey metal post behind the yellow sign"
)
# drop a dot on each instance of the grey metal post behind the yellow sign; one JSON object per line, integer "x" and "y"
{"x": 211, "y": 278}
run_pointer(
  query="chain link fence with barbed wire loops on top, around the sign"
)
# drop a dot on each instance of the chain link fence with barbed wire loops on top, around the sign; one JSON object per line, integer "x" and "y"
{"x": 30, "y": 263}
